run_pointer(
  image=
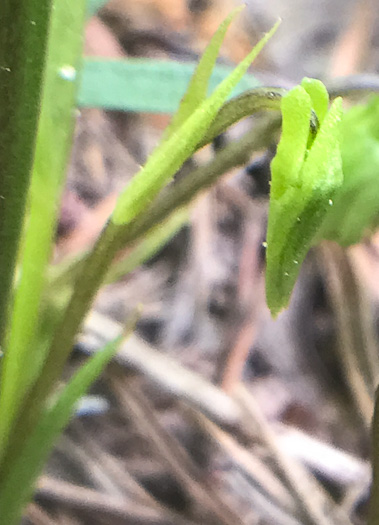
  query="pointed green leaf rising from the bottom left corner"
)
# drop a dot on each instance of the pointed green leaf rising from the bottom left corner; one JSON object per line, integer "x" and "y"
{"x": 16, "y": 487}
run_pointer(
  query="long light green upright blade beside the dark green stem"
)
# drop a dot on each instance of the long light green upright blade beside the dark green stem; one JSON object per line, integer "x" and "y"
{"x": 53, "y": 144}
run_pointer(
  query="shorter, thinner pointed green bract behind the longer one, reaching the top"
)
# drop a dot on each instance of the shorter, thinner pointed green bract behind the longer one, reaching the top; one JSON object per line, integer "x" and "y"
{"x": 198, "y": 86}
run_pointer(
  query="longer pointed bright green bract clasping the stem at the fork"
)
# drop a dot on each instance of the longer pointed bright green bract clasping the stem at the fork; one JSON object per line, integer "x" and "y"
{"x": 172, "y": 153}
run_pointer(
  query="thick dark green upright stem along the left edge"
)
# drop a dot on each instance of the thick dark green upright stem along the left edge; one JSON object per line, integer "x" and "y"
{"x": 23, "y": 37}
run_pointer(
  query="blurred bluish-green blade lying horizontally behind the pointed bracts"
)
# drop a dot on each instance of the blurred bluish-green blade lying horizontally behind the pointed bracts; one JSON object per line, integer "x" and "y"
{"x": 144, "y": 85}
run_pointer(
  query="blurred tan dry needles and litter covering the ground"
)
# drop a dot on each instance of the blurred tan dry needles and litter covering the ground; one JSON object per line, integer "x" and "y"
{"x": 214, "y": 413}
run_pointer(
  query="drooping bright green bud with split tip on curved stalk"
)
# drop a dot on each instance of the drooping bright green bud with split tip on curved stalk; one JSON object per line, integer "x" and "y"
{"x": 300, "y": 201}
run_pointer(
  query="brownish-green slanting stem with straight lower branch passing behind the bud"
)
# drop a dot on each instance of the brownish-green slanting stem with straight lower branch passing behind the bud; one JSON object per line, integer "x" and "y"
{"x": 94, "y": 268}
